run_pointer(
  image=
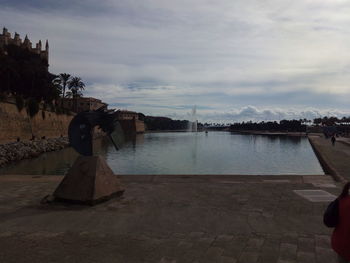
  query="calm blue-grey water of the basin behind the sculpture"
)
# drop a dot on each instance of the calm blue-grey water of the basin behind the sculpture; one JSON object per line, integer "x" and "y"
{"x": 190, "y": 153}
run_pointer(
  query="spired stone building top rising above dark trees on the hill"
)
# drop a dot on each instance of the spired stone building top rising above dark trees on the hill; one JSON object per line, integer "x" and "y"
{"x": 6, "y": 40}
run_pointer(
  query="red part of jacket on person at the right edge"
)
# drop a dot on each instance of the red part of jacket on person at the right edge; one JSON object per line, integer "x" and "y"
{"x": 341, "y": 234}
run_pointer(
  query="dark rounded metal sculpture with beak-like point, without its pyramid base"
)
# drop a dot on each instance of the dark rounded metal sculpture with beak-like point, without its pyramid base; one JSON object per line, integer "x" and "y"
{"x": 80, "y": 130}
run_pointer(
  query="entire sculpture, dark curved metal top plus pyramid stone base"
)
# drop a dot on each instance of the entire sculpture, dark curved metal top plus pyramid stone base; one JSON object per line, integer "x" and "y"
{"x": 90, "y": 180}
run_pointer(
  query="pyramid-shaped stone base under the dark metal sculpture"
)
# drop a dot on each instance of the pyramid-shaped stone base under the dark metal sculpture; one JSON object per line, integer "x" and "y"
{"x": 89, "y": 181}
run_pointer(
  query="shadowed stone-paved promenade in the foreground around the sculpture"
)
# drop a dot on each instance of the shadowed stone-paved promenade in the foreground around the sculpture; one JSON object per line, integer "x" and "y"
{"x": 165, "y": 219}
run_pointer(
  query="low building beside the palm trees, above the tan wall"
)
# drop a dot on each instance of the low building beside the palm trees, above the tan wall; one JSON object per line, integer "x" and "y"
{"x": 82, "y": 104}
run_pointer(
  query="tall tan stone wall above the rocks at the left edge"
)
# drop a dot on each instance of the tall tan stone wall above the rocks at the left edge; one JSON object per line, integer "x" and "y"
{"x": 14, "y": 124}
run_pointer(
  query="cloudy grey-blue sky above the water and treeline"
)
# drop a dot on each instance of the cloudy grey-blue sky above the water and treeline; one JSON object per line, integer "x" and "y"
{"x": 234, "y": 60}
